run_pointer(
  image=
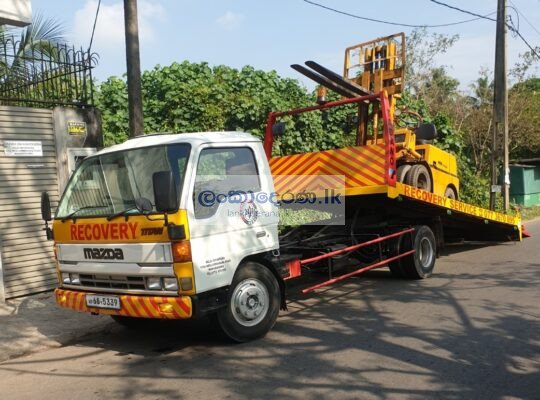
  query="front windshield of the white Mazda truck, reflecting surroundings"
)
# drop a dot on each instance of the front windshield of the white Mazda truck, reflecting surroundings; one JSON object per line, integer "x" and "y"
{"x": 110, "y": 183}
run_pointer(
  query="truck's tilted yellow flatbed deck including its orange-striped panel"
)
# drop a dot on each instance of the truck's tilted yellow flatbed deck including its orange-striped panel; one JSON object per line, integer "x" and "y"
{"x": 366, "y": 183}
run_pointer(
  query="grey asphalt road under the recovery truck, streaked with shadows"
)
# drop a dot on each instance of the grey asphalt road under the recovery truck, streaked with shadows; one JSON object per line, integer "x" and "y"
{"x": 472, "y": 331}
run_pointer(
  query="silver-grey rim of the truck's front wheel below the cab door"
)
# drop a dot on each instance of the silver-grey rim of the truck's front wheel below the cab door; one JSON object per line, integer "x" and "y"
{"x": 249, "y": 302}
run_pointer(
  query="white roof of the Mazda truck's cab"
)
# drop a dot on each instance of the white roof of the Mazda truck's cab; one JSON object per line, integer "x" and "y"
{"x": 195, "y": 139}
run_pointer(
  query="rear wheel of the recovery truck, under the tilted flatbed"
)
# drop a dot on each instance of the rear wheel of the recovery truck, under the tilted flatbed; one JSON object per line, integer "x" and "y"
{"x": 420, "y": 264}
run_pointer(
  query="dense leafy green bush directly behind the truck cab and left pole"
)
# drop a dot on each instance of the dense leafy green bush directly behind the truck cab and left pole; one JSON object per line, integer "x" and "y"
{"x": 191, "y": 97}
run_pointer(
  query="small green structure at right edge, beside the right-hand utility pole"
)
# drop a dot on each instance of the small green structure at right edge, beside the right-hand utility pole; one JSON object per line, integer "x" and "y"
{"x": 525, "y": 182}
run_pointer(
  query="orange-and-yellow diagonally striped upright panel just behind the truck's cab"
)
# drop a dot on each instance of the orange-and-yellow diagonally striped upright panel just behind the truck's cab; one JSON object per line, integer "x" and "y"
{"x": 361, "y": 166}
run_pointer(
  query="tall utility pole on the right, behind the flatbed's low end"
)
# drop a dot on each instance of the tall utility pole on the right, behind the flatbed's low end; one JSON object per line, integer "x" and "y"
{"x": 500, "y": 111}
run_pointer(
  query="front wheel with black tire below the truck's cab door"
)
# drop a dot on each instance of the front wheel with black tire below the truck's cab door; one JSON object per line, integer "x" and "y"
{"x": 253, "y": 304}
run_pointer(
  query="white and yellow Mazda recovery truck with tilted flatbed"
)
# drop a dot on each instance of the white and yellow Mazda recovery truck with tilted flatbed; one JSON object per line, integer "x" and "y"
{"x": 186, "y": 225}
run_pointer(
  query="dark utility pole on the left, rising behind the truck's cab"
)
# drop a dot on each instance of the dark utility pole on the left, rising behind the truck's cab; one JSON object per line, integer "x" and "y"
{"x": 136, "y": 122}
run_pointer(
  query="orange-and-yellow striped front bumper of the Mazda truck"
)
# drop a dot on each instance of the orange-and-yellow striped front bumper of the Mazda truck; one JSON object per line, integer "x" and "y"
{"x": 131, "y": 306}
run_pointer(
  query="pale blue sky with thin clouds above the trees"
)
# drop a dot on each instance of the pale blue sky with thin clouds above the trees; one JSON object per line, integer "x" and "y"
{"x": 272, "y": 34}
